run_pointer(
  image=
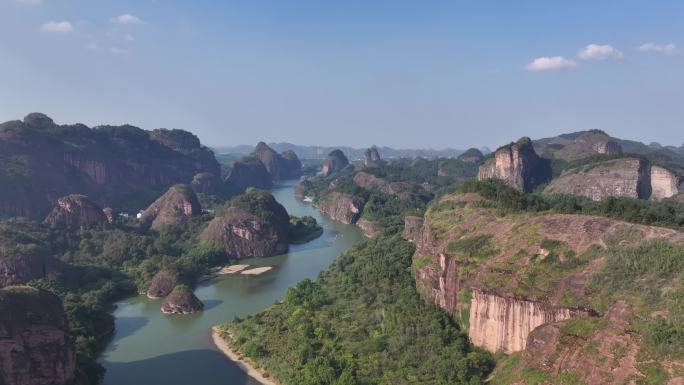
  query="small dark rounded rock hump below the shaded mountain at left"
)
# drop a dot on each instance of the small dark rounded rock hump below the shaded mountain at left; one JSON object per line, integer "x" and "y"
{"x": 76, "y": 211}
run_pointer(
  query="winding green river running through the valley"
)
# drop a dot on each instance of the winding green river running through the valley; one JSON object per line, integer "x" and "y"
{"x": 152, "y": 348}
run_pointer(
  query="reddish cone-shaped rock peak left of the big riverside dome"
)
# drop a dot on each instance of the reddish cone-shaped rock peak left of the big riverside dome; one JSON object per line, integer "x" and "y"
{"x": 174, "y": 208}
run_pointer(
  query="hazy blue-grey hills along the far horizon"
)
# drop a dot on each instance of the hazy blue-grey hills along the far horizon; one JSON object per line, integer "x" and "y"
{"x": 321, "y": 152}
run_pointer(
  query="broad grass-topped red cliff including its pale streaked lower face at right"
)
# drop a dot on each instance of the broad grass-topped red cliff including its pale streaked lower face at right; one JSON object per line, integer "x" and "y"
{"x": 504, "y": 276}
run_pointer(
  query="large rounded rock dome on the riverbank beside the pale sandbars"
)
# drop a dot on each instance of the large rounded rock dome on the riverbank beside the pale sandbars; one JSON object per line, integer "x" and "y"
{"x": 255, "y": 225}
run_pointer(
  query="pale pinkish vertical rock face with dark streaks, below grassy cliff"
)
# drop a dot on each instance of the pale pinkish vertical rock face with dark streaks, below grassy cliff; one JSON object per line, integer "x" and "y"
{"x": 503, "y": 324}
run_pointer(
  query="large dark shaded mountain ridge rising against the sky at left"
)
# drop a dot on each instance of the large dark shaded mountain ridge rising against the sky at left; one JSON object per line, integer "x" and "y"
{"x": 43, "y": 161}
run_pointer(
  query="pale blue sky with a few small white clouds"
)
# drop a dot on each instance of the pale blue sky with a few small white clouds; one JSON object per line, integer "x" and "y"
{"x": 402, "y": 73}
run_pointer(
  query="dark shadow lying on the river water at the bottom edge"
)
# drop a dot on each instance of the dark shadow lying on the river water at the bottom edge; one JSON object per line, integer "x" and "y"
{"x": 197, "y": 367}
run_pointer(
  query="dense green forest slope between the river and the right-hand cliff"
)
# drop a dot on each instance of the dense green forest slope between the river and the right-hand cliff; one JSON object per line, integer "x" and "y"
{"x": 361, "y": 322}
